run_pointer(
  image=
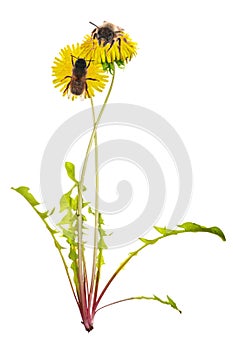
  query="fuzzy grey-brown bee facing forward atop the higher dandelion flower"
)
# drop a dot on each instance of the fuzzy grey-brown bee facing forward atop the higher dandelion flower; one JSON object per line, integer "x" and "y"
{"x": 108, "y": 33}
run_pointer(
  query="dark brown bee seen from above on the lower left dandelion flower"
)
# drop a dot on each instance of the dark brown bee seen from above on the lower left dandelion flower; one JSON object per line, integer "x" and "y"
{"x": 78, "y": 79}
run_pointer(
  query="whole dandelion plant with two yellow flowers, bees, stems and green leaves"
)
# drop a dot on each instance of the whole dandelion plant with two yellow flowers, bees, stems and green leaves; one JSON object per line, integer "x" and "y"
{"x": 81, "y": 70}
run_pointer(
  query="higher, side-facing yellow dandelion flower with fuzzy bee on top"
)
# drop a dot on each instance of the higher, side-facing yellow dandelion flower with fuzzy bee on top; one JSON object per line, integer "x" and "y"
{"x": 108, "y": 44}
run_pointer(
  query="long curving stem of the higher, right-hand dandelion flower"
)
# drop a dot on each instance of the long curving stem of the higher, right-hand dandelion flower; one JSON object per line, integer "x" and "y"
{"x": 81, "y": 257}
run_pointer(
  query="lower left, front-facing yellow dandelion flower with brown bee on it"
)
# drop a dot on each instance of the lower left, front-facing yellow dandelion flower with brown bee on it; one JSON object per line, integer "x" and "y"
{"x": 76, "y": 76}
